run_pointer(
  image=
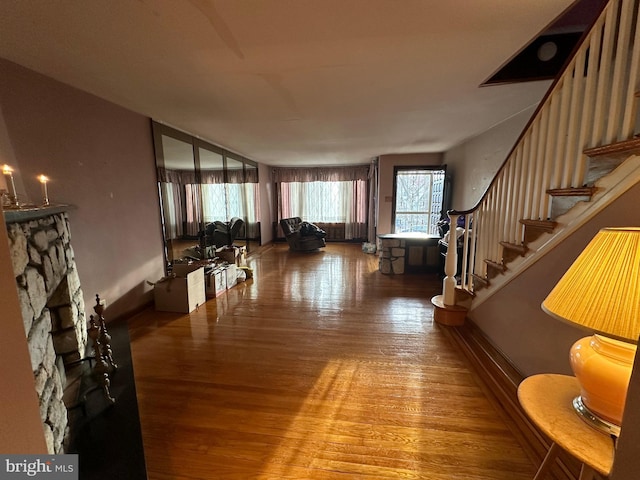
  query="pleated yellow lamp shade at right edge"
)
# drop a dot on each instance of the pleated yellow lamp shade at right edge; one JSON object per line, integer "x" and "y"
{"x": 601, "y": 290}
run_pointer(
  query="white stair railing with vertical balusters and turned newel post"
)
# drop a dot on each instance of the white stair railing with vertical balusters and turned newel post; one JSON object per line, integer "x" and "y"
{"x": 592, "y": 103}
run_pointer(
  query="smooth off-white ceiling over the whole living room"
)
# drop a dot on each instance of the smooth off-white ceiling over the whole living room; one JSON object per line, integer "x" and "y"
{"x": 290, "y": 82}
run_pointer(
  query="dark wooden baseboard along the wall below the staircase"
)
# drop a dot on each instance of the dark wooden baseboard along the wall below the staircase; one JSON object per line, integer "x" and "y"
{"x": 499, "y": 380}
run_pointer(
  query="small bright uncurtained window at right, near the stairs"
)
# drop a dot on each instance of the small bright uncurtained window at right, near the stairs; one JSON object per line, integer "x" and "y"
{"x": 418, "y": 199}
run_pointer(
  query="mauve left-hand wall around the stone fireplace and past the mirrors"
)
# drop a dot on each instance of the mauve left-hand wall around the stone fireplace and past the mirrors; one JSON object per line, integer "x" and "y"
{"x": 100, "y": 160}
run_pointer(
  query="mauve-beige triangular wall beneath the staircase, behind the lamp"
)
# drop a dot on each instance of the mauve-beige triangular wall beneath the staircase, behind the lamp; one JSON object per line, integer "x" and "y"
{"x": 513, "y": 319}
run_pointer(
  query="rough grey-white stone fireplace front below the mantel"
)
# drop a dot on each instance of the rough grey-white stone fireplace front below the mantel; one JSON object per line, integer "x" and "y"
{"x": 52, "y": 307}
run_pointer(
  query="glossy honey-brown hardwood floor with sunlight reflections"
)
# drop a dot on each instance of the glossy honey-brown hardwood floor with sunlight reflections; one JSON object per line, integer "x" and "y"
{"x": 318, "y": 368}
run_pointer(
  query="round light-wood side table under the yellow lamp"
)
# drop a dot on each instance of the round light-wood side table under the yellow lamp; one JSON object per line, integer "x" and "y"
{"x": 546, "y": 399}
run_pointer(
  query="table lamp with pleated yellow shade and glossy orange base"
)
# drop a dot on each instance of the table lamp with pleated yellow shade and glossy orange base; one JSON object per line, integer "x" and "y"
{"x": 601, "y": 292}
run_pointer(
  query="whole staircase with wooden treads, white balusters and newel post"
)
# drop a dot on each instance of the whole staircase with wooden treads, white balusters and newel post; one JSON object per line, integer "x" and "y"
{"x": 578, "y": 153}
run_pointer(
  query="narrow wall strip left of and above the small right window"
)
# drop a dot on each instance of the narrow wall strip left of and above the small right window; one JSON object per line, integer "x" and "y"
{"x": 385, "y": 182}
